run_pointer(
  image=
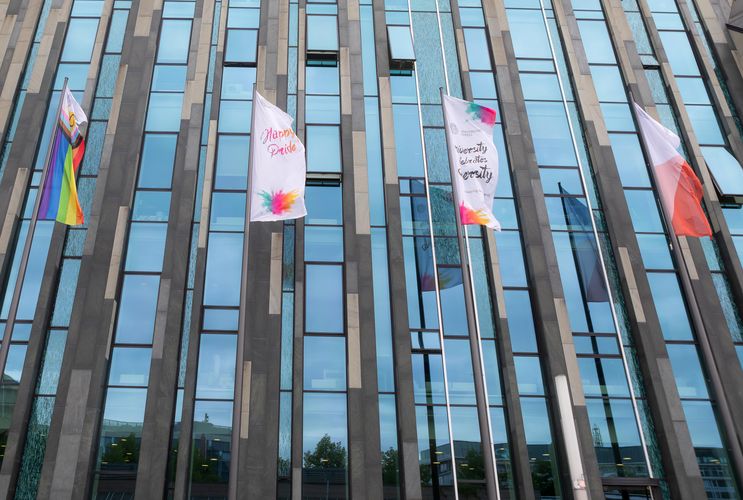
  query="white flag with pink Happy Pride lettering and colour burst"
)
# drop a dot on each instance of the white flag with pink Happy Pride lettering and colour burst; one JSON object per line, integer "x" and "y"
{"x": 279, "y": 166}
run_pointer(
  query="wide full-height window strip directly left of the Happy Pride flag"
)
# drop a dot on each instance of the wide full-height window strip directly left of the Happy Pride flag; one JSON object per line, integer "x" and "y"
{"x": 211, "y": 436}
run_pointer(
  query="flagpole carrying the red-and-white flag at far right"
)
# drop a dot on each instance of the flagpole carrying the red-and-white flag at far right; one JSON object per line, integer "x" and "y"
{"x": 696, "y": 315}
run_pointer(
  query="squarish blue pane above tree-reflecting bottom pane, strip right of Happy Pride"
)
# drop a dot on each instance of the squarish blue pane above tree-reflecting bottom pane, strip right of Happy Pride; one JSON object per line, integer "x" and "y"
{"x": 324, "y": 363}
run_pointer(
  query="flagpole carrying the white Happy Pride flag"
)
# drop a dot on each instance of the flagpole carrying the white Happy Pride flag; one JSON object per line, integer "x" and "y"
{"x": 241, "y": 329}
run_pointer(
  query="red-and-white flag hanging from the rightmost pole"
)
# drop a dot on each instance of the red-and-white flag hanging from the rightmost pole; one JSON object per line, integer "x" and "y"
{"x": 679, "y": 188}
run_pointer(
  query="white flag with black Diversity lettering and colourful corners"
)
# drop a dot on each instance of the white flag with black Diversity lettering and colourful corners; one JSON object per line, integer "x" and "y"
{"x": 469, "y": 129}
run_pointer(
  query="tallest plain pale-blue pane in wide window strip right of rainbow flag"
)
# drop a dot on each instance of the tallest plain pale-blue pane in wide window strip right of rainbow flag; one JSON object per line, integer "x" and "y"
{"x": 137, "y": 309}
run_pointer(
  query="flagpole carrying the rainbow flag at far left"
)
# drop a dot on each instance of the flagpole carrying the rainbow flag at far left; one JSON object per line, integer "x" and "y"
{"x": 26, "y": 253}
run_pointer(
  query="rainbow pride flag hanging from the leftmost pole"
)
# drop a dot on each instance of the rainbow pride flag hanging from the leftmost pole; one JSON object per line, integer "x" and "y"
{"x": 59, "y": 199}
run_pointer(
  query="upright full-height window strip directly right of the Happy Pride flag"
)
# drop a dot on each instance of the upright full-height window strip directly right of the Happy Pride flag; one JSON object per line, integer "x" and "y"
{"x": 325, "y": 459}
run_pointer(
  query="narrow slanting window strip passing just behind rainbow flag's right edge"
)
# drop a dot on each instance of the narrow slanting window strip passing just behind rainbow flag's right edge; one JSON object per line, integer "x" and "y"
{"x": 65, "y": 291}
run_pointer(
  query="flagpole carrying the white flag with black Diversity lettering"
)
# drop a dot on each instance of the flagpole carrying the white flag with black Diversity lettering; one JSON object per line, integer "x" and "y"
{"x": 478, "y": 364}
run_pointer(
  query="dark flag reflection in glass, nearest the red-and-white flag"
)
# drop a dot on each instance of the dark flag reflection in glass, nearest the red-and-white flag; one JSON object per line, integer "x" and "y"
{"x": 585, "y": 250}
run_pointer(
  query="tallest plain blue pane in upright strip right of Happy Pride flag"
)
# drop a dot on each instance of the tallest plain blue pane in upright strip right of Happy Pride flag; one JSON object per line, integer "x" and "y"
{"x": 324, "y": 299}
